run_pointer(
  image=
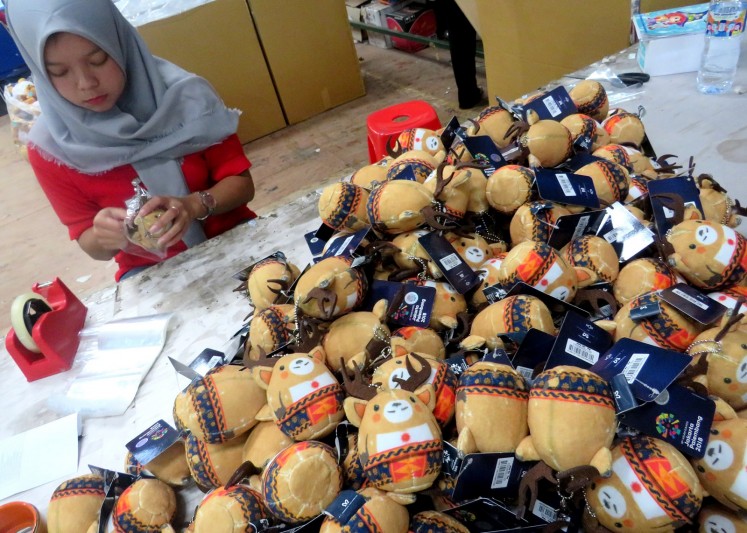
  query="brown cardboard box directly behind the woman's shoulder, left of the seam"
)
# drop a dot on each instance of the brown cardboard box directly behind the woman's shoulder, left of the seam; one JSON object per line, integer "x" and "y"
{"x": 217, "y": 41}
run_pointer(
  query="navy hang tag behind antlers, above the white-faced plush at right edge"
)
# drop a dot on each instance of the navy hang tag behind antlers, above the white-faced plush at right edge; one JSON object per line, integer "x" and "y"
{"x": 665, "y": 193}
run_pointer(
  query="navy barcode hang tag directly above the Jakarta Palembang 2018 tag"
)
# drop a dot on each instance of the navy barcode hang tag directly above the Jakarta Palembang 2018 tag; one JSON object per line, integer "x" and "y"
{"x": 648, "y": 369}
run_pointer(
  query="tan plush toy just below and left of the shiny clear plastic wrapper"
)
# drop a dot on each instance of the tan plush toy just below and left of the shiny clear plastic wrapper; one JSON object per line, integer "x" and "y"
{"x": 593, "y": 258}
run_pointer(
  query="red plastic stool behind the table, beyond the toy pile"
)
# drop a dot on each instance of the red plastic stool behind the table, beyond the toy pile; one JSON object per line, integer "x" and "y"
{"x": 391, "y": 121}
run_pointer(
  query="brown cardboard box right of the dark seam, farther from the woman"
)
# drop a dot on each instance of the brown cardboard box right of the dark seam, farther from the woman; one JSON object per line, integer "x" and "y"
{"x": 310, "y": 54}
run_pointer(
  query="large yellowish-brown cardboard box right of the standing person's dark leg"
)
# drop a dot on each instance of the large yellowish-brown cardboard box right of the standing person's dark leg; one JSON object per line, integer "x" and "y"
{"x": 530, "y": 43}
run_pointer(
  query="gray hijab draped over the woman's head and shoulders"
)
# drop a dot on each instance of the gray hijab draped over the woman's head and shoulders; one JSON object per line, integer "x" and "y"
{"x": 163, "y": 114}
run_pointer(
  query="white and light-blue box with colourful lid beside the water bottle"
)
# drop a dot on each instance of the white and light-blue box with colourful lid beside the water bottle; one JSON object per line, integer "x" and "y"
{"x": 671, "y": 40}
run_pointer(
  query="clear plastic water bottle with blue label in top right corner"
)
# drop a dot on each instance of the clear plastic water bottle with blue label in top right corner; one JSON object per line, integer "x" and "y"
{"x": 724, "y": 29}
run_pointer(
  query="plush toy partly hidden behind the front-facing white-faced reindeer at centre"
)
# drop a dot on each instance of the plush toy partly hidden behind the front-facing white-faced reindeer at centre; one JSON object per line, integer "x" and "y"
{"x": 389, "y": 374}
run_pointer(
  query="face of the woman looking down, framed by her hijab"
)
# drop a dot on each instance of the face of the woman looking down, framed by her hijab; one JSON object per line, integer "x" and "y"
{"x": 83, "y": 73}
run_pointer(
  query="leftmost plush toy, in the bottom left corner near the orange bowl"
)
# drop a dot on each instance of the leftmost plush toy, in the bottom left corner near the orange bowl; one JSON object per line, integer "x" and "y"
{"x": 75, "y": 504}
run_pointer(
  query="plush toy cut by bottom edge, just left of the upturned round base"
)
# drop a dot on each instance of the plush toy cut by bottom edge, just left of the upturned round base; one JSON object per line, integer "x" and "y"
{"x": 230, "y": 509}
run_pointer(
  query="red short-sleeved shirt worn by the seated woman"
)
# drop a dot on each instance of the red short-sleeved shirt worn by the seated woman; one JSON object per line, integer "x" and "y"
{"x": 77, "y": 197}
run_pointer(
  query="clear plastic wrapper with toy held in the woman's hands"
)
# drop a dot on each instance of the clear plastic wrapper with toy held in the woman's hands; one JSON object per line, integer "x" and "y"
{"x": 137, "y": 227}
